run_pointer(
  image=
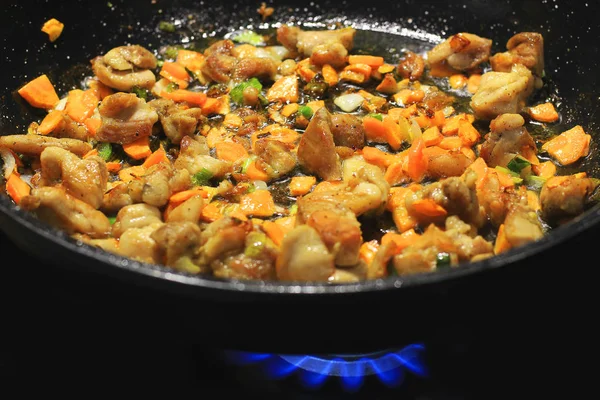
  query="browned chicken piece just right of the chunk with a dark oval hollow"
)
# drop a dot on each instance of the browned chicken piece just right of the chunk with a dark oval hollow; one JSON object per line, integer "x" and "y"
{"x": 177, "y": 121}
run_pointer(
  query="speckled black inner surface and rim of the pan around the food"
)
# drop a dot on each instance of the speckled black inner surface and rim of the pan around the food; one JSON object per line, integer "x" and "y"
{"x": 386, "y": 30}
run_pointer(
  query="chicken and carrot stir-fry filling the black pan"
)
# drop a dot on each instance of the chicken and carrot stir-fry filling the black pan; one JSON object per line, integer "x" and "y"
{"x": 297, "y": 157}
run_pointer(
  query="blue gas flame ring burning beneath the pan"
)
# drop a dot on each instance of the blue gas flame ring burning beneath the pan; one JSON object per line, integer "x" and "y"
{"x": 388, "y": 367}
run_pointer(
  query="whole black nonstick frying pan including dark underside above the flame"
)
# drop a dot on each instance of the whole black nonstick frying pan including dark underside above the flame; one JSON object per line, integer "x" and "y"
{"x": 341, "y": 317}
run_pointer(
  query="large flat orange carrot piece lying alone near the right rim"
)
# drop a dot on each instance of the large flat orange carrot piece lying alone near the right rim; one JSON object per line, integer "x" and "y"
{"x": 569, "y": 146}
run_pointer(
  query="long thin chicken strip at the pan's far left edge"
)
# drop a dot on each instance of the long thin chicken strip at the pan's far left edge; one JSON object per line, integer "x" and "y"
{"x": 33, "y": 145}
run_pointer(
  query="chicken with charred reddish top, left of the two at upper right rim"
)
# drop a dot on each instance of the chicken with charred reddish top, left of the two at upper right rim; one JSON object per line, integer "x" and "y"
{"x": 463, "y": 51}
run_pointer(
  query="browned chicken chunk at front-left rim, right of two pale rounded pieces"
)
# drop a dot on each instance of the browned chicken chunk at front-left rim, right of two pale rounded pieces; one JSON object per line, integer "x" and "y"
{"x": 178, "y": 244}
